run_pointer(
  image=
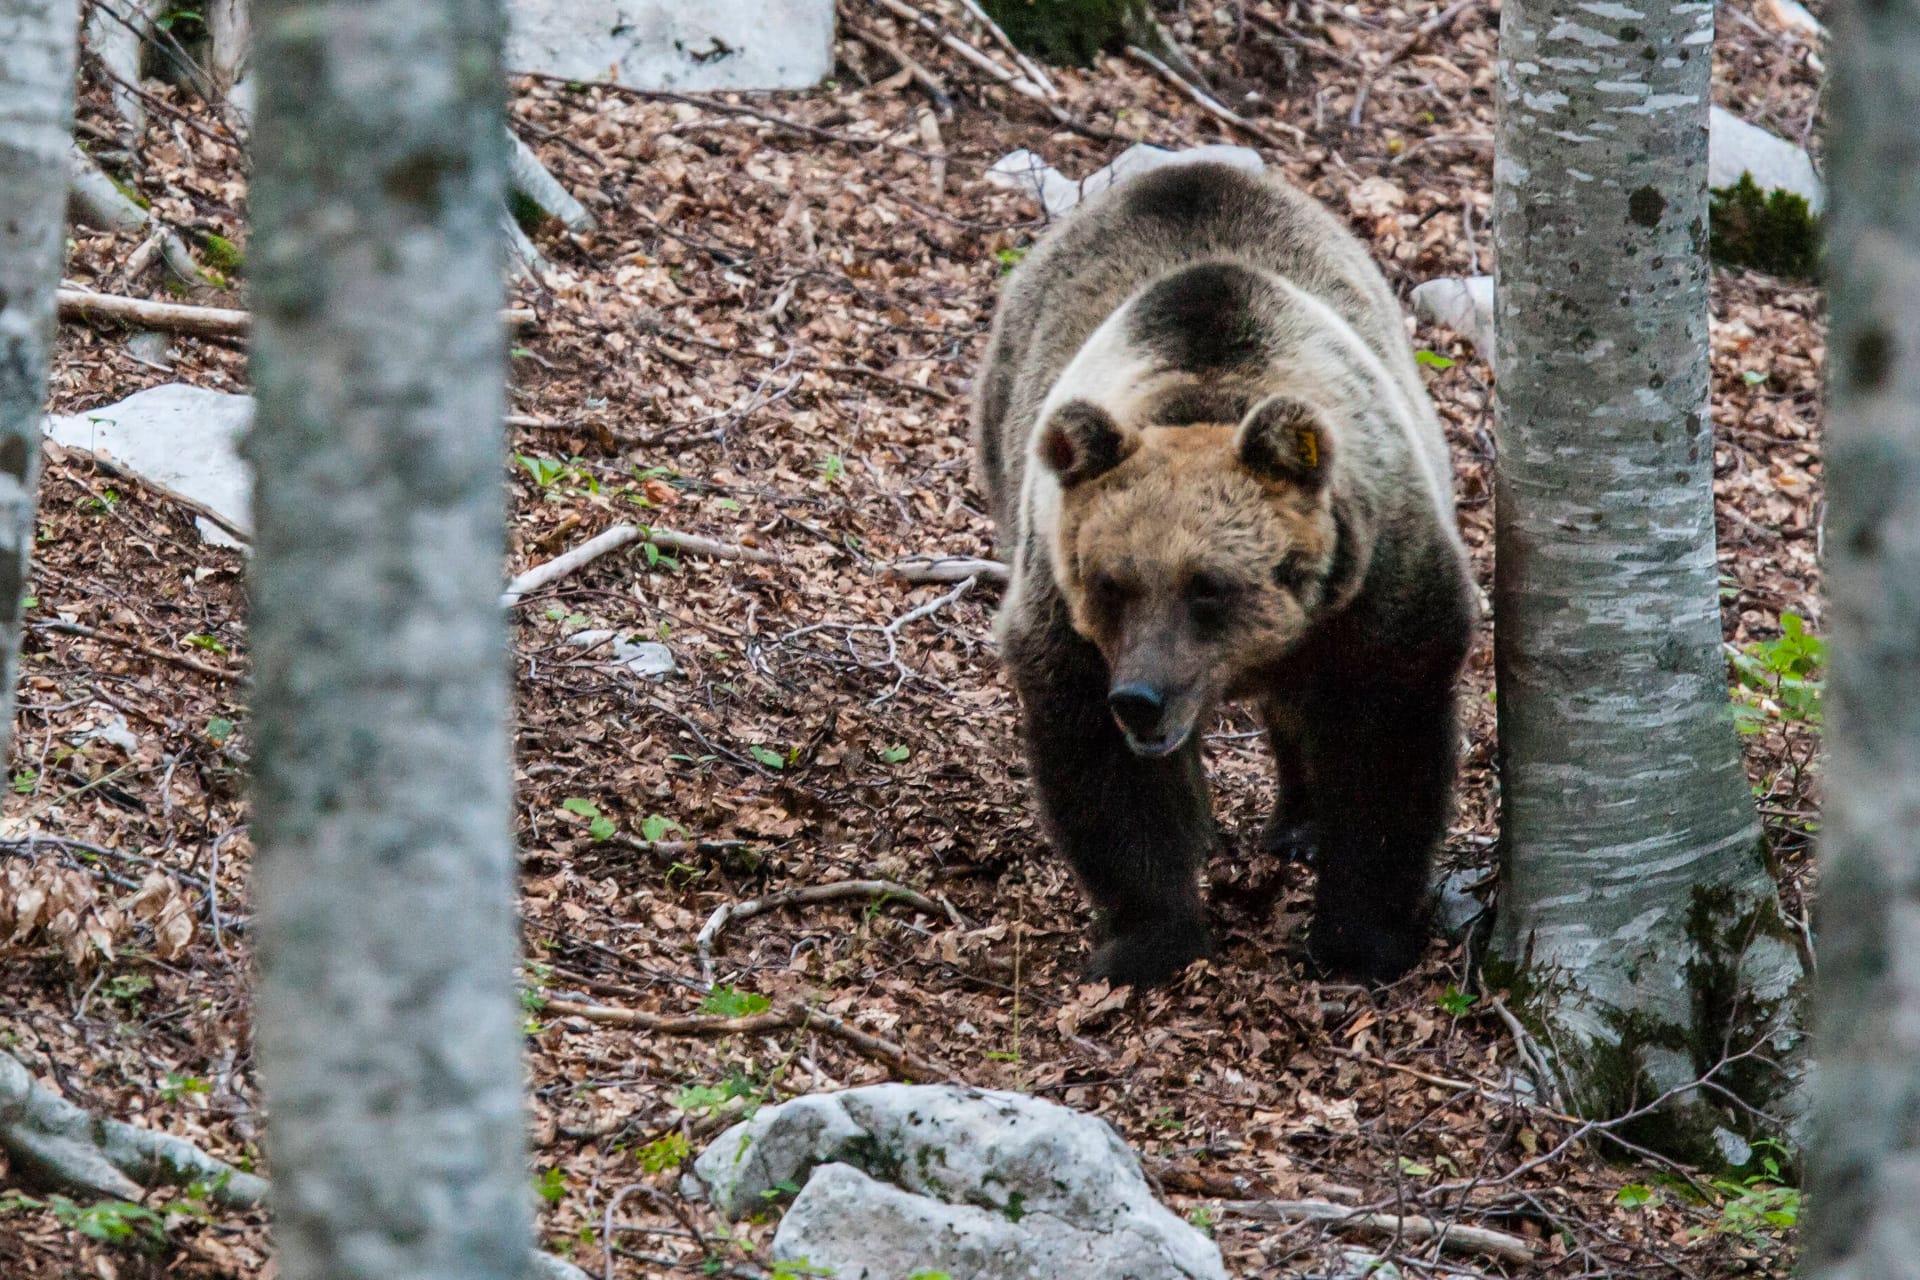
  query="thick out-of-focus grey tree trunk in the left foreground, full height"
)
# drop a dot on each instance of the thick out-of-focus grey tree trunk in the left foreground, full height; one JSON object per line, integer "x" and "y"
{"x": 387, "y": 1020}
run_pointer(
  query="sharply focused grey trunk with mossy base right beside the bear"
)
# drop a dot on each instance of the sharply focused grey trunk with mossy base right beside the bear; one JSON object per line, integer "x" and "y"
{"x": 1639, "y": 924}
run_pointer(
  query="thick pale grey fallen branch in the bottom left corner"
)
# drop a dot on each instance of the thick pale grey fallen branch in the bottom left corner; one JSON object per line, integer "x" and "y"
{"x": 112, "y": 1160}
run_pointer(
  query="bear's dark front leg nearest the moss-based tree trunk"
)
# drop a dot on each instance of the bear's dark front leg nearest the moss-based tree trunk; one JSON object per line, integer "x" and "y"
{"x": 1383, "y": 759}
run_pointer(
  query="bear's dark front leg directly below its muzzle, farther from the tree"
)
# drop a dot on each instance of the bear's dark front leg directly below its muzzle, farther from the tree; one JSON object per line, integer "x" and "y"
{"x": 1136, "y": 830}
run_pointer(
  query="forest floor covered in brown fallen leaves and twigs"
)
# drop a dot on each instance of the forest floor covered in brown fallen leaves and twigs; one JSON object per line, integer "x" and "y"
{"x": 769, "y": 343}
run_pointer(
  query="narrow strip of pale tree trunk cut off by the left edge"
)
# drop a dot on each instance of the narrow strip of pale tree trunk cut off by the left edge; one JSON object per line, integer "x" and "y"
{"x": 37, "y": 51}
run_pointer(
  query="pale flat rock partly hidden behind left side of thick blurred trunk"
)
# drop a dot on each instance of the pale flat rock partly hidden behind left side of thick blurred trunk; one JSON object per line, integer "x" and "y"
{"x": 180, "y": 439}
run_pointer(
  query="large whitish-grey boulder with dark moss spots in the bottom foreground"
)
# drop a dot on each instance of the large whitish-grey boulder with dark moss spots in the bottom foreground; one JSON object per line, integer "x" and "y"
{"x": 976, "y": 1183}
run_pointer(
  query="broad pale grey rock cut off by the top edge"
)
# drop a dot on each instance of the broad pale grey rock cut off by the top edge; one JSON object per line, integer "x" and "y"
{"x": 675, "y": 45}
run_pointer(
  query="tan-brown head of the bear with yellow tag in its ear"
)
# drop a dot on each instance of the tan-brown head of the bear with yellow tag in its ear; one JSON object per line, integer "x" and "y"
{"x": 1193, "y": 557}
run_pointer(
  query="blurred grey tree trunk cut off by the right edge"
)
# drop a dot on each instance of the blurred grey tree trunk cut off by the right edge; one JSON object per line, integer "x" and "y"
{"x": 1863, "y": 1177}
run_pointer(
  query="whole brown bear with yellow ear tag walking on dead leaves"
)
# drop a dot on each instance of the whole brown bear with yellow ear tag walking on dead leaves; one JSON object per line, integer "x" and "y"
{"x": 1216, "y": 475}
